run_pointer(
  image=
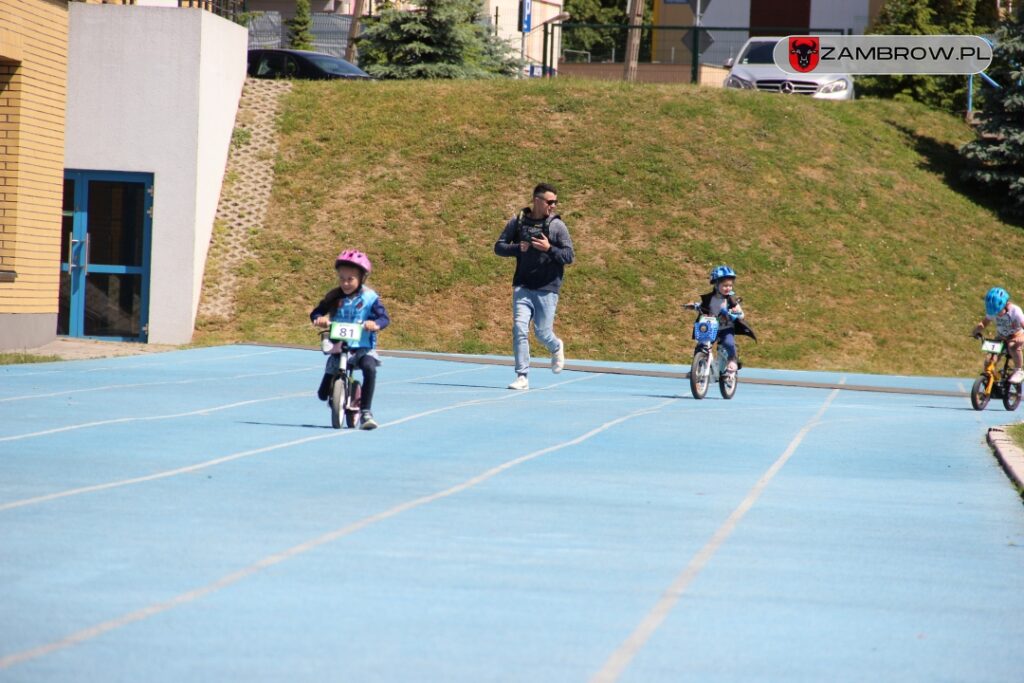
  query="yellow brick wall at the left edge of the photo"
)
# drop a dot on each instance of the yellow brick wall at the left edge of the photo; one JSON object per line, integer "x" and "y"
{"x": 33, "y": 83}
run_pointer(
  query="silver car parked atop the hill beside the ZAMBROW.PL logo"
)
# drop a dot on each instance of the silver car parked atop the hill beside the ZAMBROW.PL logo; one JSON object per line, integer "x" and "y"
{"x": 755, "y": 70}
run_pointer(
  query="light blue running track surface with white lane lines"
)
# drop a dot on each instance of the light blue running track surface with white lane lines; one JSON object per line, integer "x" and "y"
{"x": 191, "y": 517}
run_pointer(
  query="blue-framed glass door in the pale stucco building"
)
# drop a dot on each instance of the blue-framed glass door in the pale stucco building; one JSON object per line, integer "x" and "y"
{"x": 105, "y": 273}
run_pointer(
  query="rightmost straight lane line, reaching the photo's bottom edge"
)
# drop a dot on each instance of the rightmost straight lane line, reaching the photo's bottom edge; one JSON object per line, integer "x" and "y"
{"x": 621, "y": 659}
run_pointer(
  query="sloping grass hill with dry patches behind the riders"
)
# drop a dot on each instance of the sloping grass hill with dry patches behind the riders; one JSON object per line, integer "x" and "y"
{"x": 857, "y": 248}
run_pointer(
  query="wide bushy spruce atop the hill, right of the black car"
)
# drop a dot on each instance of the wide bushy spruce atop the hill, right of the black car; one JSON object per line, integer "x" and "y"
{"x": 443, "y": 39}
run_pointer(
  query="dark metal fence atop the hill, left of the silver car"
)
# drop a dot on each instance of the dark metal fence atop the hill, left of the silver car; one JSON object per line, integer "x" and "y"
{"x": 668, "y": 51}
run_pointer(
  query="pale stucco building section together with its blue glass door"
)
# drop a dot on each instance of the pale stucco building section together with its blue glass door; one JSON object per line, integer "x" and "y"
{"x": 149, "y": 129}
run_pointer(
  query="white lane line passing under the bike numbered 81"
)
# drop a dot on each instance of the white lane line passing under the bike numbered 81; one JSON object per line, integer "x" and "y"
{"x": 255, "y": 452}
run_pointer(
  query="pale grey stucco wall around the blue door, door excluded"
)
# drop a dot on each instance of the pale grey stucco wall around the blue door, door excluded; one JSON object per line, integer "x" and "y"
{"x": 155, "y": 91}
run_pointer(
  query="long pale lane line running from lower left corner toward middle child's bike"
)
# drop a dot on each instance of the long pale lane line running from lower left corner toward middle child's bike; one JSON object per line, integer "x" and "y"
{"x": 303, "y": 548}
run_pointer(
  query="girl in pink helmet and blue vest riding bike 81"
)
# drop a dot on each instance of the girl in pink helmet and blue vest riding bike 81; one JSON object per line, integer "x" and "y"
{"x": 352, "y": 302}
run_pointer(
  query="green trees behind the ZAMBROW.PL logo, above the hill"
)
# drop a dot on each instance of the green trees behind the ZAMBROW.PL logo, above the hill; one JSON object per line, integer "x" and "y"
{"x": 922, "y": 18}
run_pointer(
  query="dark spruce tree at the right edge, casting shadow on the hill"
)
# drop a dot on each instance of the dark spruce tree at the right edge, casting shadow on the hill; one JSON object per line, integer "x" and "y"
{"x": 996, "y": 159}
